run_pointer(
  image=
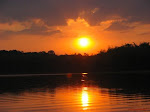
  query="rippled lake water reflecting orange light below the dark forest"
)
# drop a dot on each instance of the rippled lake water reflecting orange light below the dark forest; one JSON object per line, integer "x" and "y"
{"x": 73, "y": 93}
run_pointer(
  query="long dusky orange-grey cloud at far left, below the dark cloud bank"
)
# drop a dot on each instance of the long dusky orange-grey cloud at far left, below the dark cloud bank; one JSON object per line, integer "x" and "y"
{"x": 32, "y": 27}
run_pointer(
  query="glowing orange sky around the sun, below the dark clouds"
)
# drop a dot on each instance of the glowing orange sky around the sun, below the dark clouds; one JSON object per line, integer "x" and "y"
{"x": 65, "y": 42}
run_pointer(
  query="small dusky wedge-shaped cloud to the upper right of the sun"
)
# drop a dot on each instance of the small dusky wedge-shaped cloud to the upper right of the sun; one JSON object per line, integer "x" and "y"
{"x": 118, "y": 26}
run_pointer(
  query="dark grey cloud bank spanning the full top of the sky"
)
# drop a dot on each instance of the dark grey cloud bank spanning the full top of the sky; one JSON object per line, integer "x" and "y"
{"x": 55, "y": 12}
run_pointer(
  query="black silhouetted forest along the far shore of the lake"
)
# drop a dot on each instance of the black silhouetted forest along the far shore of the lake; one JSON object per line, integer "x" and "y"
{"x": 127, "y": 57}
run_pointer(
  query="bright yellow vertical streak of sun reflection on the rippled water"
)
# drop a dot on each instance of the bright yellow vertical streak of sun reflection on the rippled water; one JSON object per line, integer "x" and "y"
{"x": 85, "y": 98}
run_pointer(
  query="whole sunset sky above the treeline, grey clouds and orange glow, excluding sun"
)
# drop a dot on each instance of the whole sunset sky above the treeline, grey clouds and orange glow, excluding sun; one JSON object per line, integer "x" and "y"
{"x": 42, "y": 25}
